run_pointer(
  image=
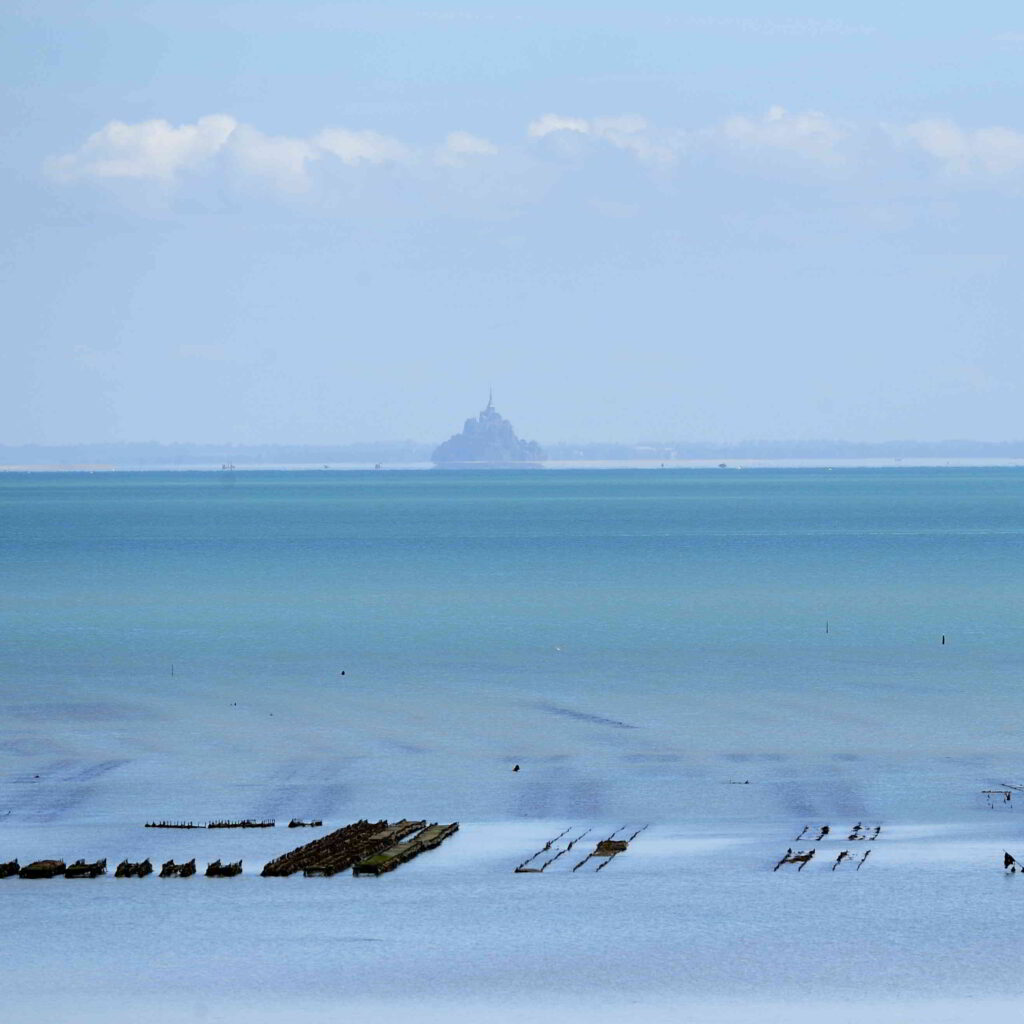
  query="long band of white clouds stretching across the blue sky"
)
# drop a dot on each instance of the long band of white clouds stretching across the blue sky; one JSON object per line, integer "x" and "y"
{"x": 159, "y": 152}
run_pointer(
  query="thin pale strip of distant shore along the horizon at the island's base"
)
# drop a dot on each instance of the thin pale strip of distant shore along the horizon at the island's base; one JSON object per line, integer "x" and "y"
{"x": 606, "y": 464}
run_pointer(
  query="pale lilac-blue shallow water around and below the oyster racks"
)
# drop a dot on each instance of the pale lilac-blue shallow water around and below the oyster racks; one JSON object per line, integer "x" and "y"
{"x": 687, "y": 914}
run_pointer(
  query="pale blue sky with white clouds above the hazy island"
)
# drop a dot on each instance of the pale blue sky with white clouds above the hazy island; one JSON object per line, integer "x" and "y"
{"x": 317, "y": 223}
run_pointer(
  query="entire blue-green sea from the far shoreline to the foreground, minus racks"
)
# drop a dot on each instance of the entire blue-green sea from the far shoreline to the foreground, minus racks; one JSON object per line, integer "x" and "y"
{"x": 724, "y": 656}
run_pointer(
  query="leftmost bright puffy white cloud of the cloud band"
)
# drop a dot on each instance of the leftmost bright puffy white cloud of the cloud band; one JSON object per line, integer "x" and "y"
{"x": 150, "y": 150}
